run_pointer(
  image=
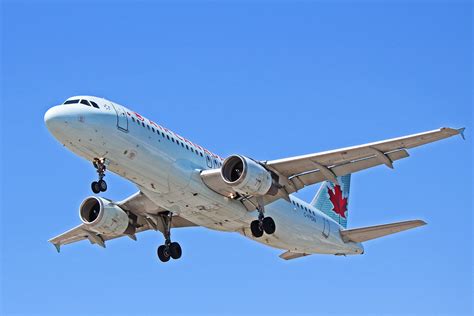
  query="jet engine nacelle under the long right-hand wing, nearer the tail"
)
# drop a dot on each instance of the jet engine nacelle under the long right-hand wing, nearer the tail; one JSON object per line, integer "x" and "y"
{"x": 247, "y": 176}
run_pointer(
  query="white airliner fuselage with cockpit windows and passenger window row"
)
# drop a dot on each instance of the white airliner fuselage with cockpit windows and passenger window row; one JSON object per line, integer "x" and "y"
{"x": 166, "y": 167}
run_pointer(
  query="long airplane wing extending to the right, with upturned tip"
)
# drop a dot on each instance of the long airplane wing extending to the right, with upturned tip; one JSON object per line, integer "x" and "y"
{"x": 295, "y": 173}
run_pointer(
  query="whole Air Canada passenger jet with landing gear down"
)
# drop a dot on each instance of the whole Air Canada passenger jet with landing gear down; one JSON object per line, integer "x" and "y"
{"x": 182, "y": 184}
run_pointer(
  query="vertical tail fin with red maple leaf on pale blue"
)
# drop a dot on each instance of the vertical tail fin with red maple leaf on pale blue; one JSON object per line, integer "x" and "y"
{"x": 333, "y": 199}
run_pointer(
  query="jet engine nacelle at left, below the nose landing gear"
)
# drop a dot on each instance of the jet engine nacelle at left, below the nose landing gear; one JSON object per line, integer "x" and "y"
{"x": 104, "y": 217}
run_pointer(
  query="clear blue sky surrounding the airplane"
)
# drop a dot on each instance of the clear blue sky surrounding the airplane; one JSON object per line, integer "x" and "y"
{"x": 269, "y": 80}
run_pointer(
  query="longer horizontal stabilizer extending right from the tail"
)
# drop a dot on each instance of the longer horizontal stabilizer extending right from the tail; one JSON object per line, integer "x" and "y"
{"x": 372, "y": 232}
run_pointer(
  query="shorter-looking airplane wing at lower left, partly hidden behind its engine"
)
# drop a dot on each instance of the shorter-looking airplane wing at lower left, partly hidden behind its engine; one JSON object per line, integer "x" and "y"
{"x": 147, "y": 218}
